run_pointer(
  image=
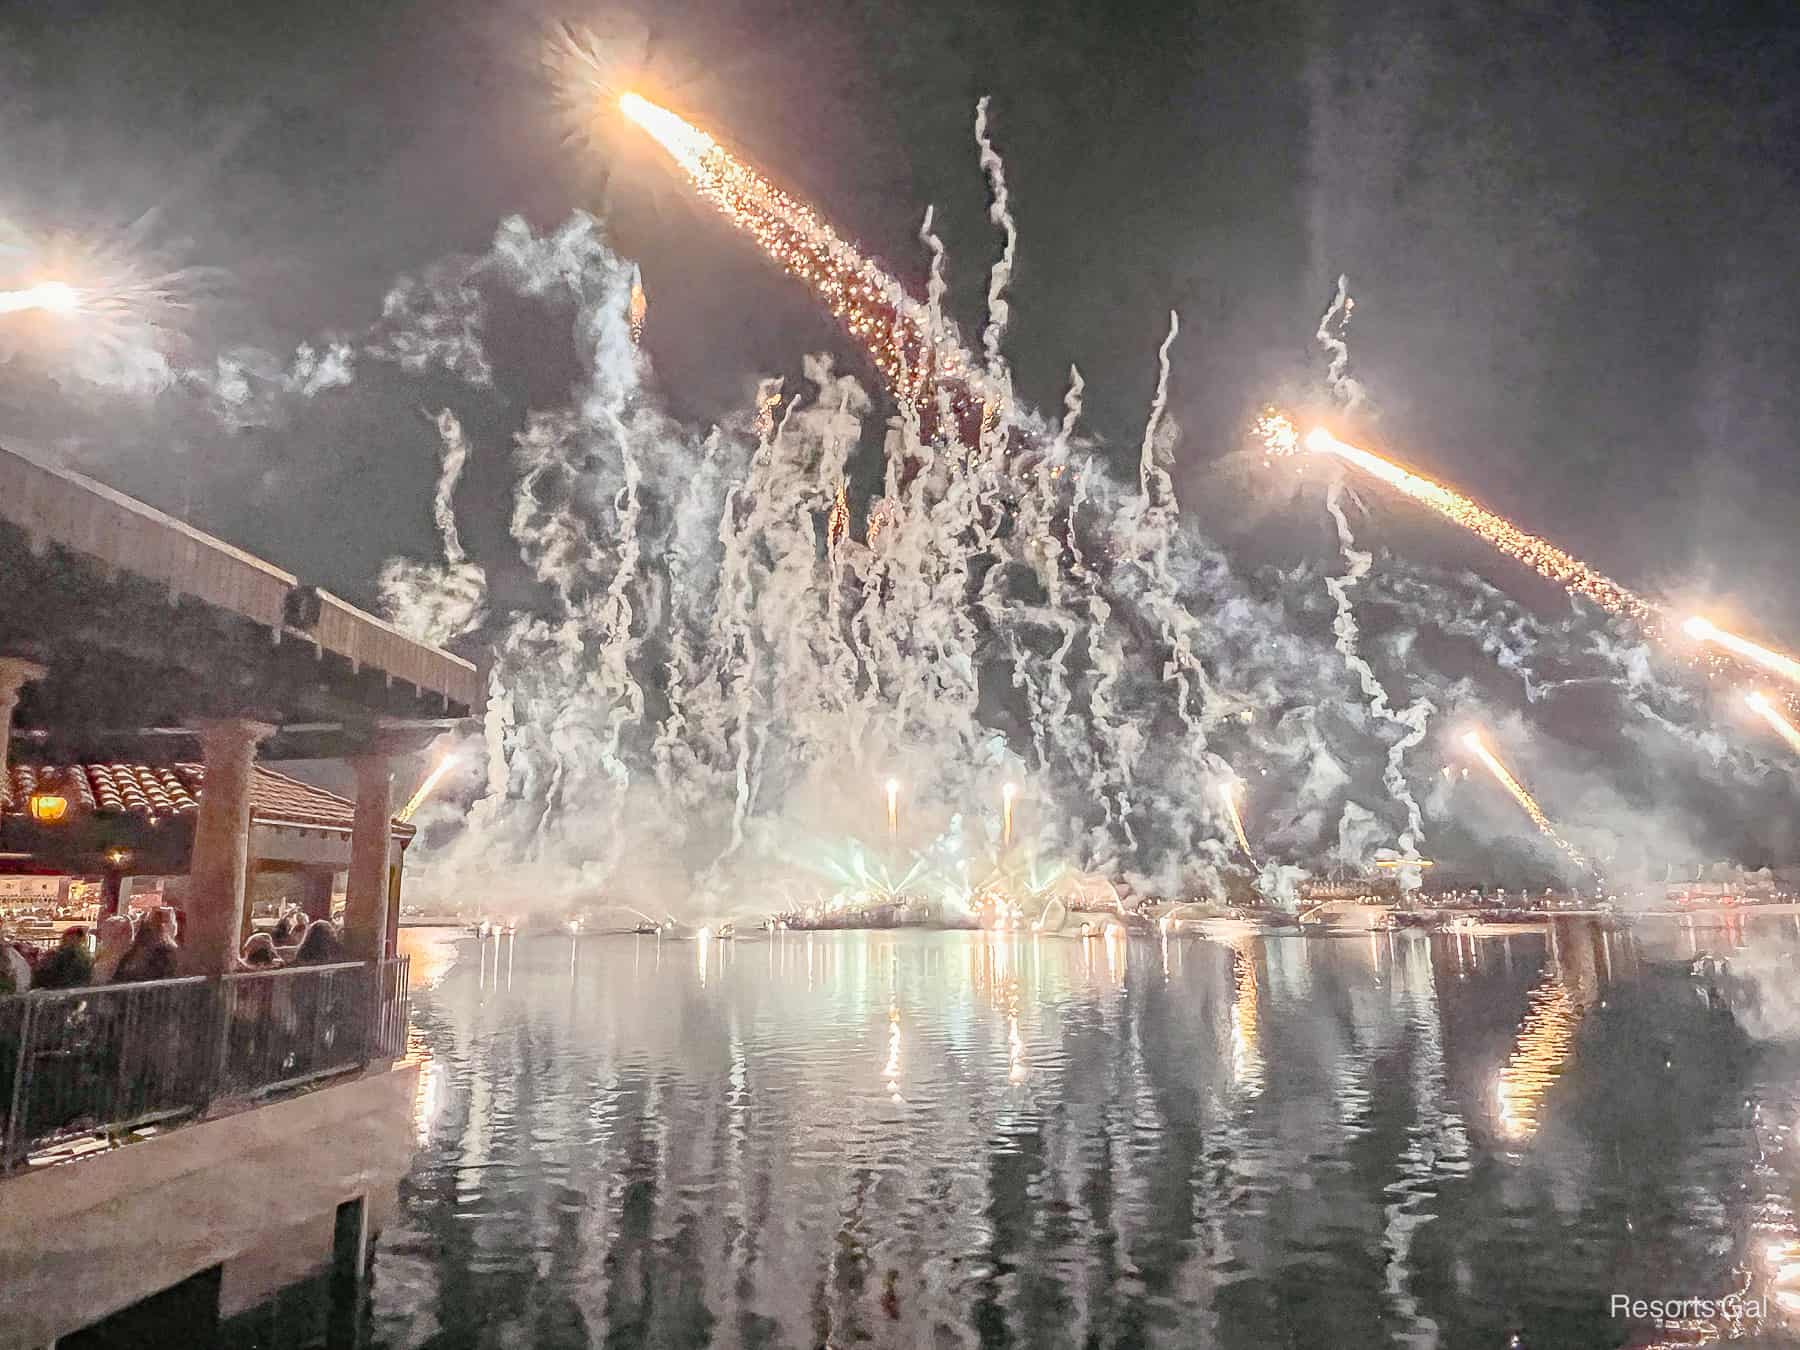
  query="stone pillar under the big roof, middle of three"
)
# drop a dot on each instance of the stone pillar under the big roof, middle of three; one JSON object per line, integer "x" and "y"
{"x": 222, "y": 845}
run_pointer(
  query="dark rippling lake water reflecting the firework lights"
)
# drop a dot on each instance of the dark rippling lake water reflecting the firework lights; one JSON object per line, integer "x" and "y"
{"x": 946, "y": 1140}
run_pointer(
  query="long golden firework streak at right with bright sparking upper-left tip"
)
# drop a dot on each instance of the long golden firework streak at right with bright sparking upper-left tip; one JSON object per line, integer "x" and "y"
{"x": 1543, "y": 557}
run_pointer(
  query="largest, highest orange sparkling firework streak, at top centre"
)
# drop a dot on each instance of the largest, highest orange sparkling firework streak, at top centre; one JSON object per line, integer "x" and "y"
{"x": 890, "y": 325}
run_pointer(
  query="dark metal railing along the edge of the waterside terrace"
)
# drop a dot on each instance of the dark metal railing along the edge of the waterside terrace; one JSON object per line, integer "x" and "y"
{"x": 114, "y": 1057}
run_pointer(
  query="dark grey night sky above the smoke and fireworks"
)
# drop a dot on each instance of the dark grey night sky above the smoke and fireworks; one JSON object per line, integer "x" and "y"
{"x": 1572, "y": 231}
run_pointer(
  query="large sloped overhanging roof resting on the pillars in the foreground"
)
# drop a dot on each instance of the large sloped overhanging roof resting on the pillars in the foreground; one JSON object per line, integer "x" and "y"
{"x": 150, "y": 625}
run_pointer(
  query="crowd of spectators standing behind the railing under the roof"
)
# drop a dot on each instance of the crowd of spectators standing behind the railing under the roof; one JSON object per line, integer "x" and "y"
{"x": 129, "y": 949}
